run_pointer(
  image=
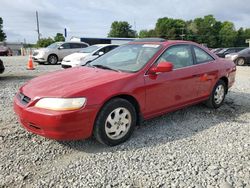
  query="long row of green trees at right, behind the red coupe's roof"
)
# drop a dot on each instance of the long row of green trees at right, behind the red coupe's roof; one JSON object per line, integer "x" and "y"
{"x": 206, "y": 30}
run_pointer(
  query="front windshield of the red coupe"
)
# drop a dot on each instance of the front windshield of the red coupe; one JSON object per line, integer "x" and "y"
{"x": 128, "y": 58}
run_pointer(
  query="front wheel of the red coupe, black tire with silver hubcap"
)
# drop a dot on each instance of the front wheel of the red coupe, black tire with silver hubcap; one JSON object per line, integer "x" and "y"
{"x": 115, "y": 122}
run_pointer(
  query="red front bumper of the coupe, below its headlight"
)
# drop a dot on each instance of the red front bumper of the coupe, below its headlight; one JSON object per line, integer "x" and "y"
{"x": 58, "y": 125}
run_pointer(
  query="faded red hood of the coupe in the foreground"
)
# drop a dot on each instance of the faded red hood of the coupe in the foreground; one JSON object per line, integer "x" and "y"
{"x": 69, "y": 82}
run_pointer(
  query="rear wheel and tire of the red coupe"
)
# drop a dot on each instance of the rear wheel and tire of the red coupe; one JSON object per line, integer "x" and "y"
{"x": 218, "y": 95}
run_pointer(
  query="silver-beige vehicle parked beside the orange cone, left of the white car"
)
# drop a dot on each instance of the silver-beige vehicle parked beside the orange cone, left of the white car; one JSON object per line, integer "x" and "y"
{"x": 57, "y": 51}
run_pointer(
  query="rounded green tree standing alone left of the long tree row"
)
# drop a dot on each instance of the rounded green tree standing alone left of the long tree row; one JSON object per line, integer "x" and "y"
{"x": 121, "y": 29}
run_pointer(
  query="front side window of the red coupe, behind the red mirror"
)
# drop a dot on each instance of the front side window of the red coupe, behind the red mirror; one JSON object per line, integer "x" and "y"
{"x": 179, "y": 55}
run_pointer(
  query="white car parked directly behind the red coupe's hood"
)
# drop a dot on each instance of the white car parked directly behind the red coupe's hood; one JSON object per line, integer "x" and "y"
{"x": 86, "y": 55}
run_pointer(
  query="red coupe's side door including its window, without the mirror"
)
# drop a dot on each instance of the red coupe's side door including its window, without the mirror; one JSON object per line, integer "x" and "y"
{"x": 167, "y": 91}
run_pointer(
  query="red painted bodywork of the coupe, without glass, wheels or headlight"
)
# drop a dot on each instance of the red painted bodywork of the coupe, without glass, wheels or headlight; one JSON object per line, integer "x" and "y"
{"x": 158, "y": 90}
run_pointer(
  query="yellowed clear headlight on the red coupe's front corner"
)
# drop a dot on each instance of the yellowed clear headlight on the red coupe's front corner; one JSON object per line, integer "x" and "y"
{"x": 61, "y": 104}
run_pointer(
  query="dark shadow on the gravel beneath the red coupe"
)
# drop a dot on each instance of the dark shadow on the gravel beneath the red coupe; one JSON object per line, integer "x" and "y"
{"x": 173, "y": 126}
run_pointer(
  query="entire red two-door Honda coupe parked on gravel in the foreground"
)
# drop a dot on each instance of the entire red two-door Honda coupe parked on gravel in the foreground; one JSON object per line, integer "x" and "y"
{"x": 109, "y": 96}
